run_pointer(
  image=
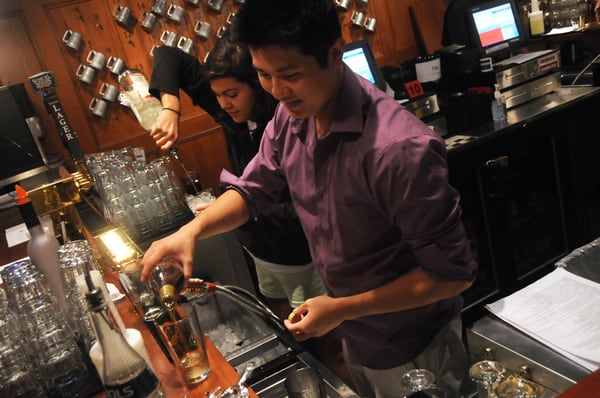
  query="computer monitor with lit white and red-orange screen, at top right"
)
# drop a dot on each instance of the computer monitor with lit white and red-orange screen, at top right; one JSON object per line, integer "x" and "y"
{"x": 496, "y": 28}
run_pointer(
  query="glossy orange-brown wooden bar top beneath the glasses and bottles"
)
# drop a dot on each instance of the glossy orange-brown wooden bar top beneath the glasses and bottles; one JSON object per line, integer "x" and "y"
{"x": 222, "y": 373}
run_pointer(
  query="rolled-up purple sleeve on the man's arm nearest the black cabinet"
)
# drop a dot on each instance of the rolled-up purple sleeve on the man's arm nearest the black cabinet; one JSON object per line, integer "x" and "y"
{"x": 426, "y": 208}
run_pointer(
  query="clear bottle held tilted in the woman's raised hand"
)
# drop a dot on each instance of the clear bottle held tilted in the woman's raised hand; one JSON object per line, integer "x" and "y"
{"x": 135, "y": 94}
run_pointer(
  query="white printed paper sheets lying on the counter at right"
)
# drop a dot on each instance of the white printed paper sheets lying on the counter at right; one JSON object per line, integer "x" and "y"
{"x": 561, "y": 310}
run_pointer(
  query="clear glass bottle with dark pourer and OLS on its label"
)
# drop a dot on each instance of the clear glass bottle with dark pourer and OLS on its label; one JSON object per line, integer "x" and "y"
{"x": 125, "y": 373}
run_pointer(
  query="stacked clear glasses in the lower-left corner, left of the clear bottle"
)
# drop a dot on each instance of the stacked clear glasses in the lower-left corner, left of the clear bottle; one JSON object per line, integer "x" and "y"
{"x": 47, "y": 338}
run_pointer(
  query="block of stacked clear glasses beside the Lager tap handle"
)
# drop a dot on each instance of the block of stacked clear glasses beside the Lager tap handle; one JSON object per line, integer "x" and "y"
{"x": 144, "y": 199}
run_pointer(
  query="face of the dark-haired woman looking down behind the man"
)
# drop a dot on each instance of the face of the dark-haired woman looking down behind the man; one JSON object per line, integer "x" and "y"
{"x": 235, "y": 97}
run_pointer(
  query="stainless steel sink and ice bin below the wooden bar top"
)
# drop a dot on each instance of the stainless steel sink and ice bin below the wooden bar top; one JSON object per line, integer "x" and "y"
{"x": 242, "y": 336}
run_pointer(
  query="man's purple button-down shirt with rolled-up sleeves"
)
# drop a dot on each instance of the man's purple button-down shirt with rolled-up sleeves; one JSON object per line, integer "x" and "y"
{"x": 374, "y": 201}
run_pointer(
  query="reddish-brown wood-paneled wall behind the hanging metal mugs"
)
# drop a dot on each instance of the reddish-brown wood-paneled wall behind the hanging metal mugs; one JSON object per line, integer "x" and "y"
{"x": 37, "y": 46}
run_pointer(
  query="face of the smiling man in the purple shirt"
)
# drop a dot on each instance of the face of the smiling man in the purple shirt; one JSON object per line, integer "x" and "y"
{"x": 295, "y": 79}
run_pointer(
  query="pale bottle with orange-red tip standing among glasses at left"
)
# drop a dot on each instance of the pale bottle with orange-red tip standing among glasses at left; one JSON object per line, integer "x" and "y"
{"x": 42, "y": 248}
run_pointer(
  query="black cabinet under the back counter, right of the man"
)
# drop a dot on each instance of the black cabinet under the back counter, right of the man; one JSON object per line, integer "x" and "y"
{"x": 530, "y": 194}
